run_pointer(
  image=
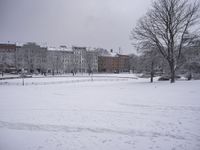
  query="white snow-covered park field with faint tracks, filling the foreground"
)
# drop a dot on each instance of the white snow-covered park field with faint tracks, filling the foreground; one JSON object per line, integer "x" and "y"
{"x": 108, "y": 114}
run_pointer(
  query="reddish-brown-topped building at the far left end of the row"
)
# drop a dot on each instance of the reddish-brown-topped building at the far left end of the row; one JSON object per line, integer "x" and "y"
{"x": 7, "y": 57}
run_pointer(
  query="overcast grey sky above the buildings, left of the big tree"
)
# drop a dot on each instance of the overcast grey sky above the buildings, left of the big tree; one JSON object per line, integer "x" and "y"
{"x": 95, "y": 23}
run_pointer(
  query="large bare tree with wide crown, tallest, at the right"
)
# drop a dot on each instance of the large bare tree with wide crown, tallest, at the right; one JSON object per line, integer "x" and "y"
{"x": 165, "y": 27}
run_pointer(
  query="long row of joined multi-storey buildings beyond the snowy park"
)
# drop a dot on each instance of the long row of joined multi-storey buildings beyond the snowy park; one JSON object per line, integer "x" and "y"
{"x": 33, "y": 58}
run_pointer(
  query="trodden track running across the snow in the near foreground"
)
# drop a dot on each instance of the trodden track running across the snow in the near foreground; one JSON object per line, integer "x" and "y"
{"x": 68, "y": 129}
